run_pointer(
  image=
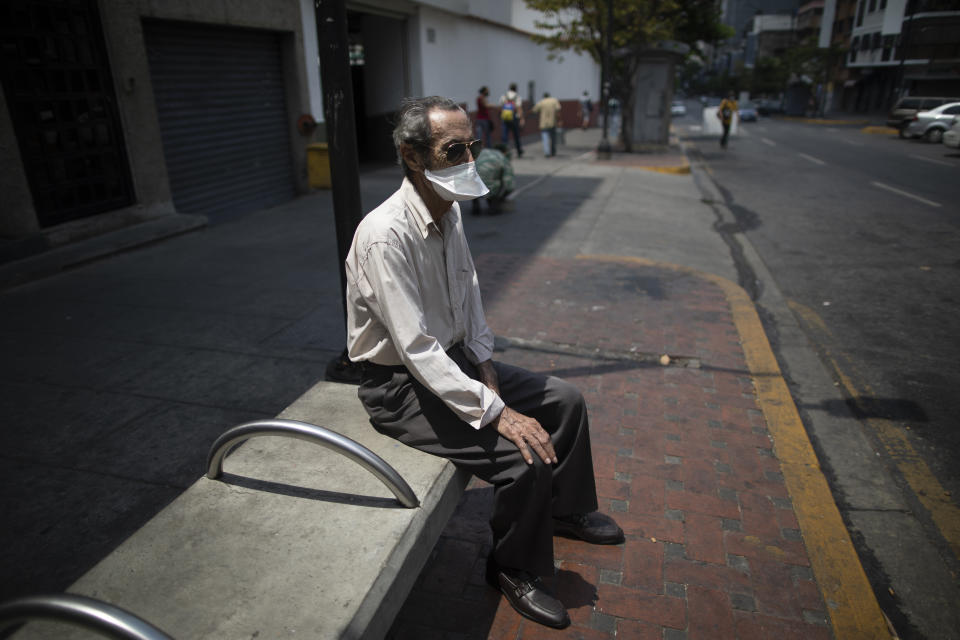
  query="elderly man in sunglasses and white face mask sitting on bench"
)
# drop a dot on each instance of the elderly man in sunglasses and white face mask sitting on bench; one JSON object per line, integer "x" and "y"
{"x": 415, "y": 323}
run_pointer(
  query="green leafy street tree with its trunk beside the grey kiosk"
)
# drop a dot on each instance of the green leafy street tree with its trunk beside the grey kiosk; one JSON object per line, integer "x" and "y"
{"x": 580, "y": 26}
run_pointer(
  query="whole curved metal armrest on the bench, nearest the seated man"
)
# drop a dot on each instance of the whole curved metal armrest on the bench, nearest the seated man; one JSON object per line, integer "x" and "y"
{"x": 318, "y": 435}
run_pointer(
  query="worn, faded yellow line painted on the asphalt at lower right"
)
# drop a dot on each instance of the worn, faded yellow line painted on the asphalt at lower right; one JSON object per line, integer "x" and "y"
{"x": 931, "y": 494}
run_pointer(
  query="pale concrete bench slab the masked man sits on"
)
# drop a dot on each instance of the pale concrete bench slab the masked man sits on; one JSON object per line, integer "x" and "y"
{"x": 294, "y": 541}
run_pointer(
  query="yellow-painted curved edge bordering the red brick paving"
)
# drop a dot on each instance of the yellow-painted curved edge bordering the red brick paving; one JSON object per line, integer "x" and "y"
{"x": 853, "y": 608}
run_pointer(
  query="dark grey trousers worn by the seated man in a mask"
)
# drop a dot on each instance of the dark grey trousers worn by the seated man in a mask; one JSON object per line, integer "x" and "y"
{"x": 526, "y": 497}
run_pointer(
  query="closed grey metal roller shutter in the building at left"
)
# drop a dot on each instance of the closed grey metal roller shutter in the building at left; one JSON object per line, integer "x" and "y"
{"x": 223, "y": 118}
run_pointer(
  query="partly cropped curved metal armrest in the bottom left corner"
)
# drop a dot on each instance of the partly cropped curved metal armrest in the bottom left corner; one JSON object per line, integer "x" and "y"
{"x": 93, "y": 614}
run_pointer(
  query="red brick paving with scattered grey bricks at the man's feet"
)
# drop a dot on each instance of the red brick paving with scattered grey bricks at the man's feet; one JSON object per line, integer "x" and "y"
{"x": 683, "y": 461}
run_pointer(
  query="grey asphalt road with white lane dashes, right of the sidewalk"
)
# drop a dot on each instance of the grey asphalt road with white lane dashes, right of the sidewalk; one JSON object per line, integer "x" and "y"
{"x": 860, "y": 232}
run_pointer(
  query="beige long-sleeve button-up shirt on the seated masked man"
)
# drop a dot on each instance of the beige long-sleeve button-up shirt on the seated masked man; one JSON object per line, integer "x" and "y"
{"x": 412, "y": 293}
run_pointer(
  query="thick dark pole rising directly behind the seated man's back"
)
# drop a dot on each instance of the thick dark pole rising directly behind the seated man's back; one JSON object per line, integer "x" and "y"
{"x": 331, "y": 16}
